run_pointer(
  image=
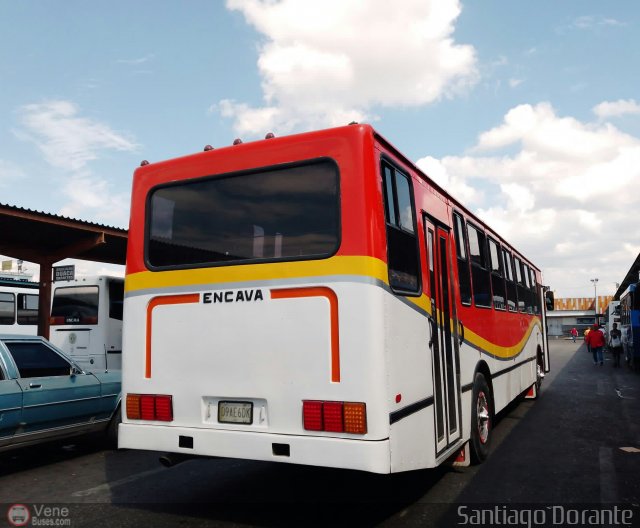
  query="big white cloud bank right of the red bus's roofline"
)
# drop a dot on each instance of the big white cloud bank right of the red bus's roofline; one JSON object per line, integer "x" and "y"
{"x": 561, "y": 195}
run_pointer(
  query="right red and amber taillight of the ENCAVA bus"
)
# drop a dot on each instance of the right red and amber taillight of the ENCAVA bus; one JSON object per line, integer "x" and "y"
{"x": 334, "y": 416}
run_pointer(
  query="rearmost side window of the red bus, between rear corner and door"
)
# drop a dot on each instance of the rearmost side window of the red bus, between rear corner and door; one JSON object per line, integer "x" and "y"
{"x": 402, "y": 243}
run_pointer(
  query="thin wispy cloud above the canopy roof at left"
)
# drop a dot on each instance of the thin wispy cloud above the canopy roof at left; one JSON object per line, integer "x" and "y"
{"x": 69, "y": 143}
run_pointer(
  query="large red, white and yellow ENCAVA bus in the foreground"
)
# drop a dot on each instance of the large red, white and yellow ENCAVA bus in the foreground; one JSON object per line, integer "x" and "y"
{"x": 316, "y": 299}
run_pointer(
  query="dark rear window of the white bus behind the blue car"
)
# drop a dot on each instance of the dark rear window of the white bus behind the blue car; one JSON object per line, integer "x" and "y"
{"x": 75, "y": 305}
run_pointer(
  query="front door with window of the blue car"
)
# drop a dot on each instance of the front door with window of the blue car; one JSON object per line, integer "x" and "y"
{"x": 53, "y": 395}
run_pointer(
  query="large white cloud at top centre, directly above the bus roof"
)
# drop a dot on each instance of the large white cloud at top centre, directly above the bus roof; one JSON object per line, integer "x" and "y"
{"x": 327, "y": 63}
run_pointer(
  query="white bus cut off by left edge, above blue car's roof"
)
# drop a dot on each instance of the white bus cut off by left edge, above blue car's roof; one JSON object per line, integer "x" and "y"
{"x": 18, "y": 307}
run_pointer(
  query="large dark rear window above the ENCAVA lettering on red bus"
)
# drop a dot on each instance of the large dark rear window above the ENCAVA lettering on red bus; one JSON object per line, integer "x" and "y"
{"x": 275, "y": 214}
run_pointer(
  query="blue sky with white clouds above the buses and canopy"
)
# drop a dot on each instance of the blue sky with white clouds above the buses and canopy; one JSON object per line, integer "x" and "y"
{"x": 527, "y": 112}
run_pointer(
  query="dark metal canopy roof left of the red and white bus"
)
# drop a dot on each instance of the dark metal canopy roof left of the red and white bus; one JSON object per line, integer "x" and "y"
{"x": 46, "y": 238}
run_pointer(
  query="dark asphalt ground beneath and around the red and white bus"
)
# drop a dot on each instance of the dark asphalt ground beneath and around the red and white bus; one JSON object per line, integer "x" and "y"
{"x": 578, "y": 445}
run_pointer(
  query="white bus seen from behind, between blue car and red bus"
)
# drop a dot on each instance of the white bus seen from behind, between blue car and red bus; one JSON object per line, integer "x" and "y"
{"x": 86, "y": 321}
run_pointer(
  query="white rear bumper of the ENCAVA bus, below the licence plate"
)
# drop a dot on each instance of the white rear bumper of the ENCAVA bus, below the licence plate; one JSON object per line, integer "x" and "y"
{"x": 363, "y": 455}
